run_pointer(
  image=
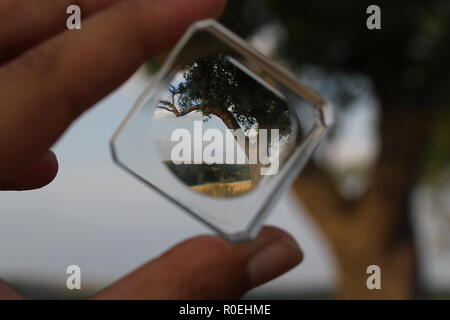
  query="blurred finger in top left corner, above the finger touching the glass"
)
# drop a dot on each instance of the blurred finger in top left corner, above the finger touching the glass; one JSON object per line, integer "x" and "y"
{"x": 25, "y": 23}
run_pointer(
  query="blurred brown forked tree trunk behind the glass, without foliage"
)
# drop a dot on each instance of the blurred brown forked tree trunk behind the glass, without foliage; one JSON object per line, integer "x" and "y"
{"x": 376, "y": 228}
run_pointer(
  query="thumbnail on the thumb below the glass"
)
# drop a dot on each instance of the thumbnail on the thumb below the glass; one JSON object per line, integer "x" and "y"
{"x": 278, "y": 257}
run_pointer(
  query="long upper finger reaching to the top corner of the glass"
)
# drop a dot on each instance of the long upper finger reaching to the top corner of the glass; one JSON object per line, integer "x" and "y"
{"x": 51, "y": 85}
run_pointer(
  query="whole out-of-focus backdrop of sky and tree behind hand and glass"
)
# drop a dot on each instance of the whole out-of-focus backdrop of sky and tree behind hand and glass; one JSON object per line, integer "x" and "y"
{"x": 377, "y": 192}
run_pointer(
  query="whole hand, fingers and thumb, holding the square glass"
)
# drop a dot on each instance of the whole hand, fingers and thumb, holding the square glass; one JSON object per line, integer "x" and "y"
{"x": 49, "y": 76}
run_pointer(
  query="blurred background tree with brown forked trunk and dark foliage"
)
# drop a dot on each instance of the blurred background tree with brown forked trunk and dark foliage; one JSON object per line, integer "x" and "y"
{"x": 407, "y": 62}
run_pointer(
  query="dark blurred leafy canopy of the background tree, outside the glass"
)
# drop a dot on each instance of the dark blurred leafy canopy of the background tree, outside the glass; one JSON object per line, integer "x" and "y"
{"x": 407, "y": 61}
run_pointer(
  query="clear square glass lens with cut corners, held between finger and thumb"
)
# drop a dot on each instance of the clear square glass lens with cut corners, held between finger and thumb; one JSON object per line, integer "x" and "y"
{"x": 221, "y": 131}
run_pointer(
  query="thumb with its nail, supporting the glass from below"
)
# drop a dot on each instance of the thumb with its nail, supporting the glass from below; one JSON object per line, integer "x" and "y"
{"x": 207, "y": 267}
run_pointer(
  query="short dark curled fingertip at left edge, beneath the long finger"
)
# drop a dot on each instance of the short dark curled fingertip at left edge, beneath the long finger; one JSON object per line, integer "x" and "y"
{"x": 38, "y": 175}
